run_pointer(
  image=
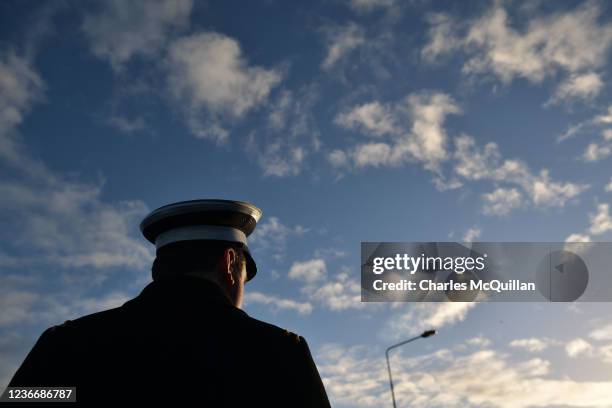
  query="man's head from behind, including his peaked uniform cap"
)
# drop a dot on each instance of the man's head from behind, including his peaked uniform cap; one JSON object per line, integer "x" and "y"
{"x": 206, "y": 238}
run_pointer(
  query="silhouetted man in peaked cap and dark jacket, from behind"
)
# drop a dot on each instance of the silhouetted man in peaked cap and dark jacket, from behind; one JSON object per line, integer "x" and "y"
{"x": 184, "y": 338}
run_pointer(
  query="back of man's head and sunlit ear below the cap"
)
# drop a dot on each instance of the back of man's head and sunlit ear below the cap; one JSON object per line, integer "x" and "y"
{"x": 221, "y": 262}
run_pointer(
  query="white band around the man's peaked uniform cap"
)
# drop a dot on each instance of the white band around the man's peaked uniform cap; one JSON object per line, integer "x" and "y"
{"x": 195, "y": 232}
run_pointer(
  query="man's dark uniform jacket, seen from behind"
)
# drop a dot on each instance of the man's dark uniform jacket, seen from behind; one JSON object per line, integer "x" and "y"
{"x": 181, "y": 341}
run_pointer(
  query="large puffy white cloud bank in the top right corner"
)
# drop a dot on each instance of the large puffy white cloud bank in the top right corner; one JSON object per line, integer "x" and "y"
{"x": 573, "y": 42}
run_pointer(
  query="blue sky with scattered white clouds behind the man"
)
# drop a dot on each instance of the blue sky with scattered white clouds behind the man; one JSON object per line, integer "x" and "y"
{"x": 344, "y": 121}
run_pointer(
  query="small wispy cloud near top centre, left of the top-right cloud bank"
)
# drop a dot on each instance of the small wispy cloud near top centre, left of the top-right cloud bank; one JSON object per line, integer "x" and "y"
{"x": 341, "y": 42}
